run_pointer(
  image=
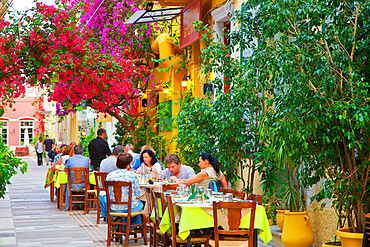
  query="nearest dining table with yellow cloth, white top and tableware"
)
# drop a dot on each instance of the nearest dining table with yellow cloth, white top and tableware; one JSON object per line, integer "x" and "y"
{"x": 193, "y": 215}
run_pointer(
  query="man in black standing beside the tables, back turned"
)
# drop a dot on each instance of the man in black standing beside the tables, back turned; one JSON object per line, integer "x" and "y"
{"x": 99, "y": 149}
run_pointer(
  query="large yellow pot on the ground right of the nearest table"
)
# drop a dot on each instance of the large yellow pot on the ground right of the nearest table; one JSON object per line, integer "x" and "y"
{"x": 297, "y": 230}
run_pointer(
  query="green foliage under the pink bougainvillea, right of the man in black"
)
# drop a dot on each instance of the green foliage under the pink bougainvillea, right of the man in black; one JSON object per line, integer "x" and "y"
{"x": 145, "y": 134}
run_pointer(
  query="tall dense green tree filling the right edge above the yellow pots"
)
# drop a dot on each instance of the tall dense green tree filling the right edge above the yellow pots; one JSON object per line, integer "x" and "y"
{"x": 313, "y": 60}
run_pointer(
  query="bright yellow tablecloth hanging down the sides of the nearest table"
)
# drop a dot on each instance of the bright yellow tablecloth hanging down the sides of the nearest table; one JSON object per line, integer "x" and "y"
{"x": 193, "y": 218}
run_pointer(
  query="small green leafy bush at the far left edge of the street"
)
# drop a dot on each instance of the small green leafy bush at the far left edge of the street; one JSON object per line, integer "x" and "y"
{"x": 8, "y": 167}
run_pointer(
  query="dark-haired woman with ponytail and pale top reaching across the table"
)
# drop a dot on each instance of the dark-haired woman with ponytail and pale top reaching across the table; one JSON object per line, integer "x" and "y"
{"x": 210, "y": 171}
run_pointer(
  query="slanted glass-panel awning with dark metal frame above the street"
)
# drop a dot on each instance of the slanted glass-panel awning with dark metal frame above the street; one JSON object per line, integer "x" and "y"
{"x": 154, "y": 15}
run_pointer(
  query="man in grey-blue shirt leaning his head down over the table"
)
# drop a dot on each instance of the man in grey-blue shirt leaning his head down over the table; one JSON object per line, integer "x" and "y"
{"x": 176, "y": 171}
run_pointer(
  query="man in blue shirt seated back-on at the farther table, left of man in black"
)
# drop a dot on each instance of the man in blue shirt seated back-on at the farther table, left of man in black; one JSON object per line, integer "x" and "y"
{"x": 75, "y": 161}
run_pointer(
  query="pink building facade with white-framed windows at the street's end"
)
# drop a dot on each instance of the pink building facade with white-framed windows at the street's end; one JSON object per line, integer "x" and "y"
{"x": 22, "y": 123}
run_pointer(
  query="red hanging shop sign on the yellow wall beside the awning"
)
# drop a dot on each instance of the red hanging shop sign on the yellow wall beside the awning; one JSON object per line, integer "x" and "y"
{"x": 190, "y": 14}
